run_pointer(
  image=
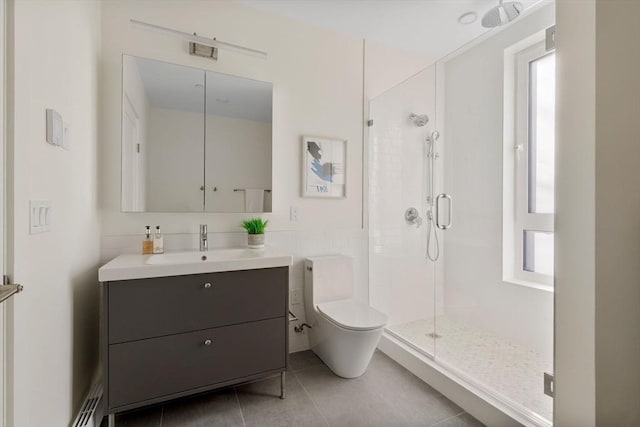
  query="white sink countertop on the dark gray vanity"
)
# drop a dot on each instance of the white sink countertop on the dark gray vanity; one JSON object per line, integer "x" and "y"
{"x": 134, "y": 266}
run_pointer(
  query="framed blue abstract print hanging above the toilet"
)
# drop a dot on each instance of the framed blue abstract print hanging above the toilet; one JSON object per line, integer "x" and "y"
{"x": 323, "y": 167}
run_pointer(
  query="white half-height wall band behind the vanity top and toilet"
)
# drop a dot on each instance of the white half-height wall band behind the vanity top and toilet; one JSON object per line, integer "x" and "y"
{"x": 300, "y": 244}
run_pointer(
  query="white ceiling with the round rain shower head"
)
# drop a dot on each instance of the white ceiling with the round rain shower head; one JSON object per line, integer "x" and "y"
{"x": 429, "y": 27}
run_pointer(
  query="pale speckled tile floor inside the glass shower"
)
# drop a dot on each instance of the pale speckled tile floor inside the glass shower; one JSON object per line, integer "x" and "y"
{"x": 506, "y": 368}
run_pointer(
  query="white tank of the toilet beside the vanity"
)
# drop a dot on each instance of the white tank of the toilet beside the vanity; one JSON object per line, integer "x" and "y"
{"x": 328, "y": 278}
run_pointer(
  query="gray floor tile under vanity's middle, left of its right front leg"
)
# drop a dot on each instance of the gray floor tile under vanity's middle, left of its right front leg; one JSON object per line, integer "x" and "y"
{"x": 219, "y": 408}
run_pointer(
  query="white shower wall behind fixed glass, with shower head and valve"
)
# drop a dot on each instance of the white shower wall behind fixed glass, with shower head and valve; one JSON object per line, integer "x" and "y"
{"x": 401, "y": 278}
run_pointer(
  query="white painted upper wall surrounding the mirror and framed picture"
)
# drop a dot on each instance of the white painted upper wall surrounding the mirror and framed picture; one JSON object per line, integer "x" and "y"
{"x": 317, "y": 77}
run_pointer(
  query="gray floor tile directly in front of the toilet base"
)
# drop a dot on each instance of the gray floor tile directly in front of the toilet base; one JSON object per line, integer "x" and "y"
{"x": 347, "y": 402}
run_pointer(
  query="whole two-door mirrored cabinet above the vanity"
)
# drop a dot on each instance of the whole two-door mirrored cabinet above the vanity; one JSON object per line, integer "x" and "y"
{"x": 194, "y": 140}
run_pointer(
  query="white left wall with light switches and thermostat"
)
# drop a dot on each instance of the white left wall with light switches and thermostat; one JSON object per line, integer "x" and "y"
{"x": 53, "y": 63}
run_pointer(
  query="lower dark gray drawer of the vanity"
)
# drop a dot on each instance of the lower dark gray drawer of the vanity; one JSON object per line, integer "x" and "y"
{"x": 148, "y": 369}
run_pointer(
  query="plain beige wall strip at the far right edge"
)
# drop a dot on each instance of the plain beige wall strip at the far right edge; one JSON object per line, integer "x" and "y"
{"x": 617, "y": 213}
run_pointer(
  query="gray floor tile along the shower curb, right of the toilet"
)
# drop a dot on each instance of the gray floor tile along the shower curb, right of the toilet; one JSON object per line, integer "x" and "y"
{"x": 414, "y": 400}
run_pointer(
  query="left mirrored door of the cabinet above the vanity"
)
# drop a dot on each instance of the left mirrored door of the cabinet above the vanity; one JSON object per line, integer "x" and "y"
{"x": 162, "y": 135}
